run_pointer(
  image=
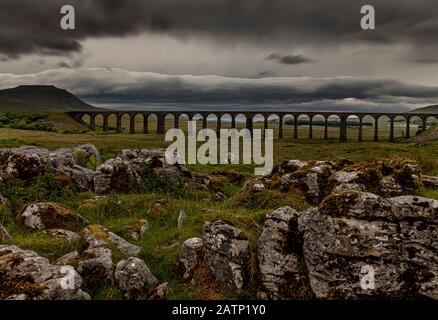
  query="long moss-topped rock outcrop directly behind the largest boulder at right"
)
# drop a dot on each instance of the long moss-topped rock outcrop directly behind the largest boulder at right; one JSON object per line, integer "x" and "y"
{"x": 318, "y": 179}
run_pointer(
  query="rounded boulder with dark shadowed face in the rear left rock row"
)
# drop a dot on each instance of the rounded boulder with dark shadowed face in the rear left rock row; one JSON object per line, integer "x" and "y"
{"x": 115, "y": 175}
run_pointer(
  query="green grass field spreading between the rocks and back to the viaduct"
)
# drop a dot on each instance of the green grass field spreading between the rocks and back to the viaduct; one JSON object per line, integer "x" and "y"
{"x": 163, "y": 240}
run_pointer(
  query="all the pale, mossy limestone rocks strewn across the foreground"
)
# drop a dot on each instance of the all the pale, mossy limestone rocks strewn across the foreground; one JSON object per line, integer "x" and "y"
{"x": 365, "y": 236}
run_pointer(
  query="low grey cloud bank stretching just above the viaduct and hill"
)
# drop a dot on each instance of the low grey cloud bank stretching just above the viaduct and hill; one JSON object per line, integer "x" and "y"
{"x": 116, "y": 85}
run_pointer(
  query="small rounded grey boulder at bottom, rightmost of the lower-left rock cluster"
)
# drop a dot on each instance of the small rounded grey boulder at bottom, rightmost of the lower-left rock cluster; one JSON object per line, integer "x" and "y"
{"x": 134, "y": 279}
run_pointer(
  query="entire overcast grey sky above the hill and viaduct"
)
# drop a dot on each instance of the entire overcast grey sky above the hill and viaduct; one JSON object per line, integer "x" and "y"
{"x": 308, "y": 54}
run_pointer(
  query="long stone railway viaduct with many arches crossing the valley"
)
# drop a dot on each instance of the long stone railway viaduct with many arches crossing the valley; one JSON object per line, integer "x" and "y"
{"x": 342, "y": 116}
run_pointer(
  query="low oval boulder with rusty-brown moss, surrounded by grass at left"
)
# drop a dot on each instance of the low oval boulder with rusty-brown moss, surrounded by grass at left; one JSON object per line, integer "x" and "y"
{"x": 47, "y": 215}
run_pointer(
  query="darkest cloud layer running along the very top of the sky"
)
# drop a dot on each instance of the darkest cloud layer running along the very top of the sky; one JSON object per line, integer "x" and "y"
{"x": 33, "y": 26}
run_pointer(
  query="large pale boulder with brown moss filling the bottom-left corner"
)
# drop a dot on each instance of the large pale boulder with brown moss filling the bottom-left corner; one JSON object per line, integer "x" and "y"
{"x": 24, "y": 275}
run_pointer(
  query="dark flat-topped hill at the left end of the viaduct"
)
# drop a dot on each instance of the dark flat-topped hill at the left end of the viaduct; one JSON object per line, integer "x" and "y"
{"x": 33, "y": 98}
